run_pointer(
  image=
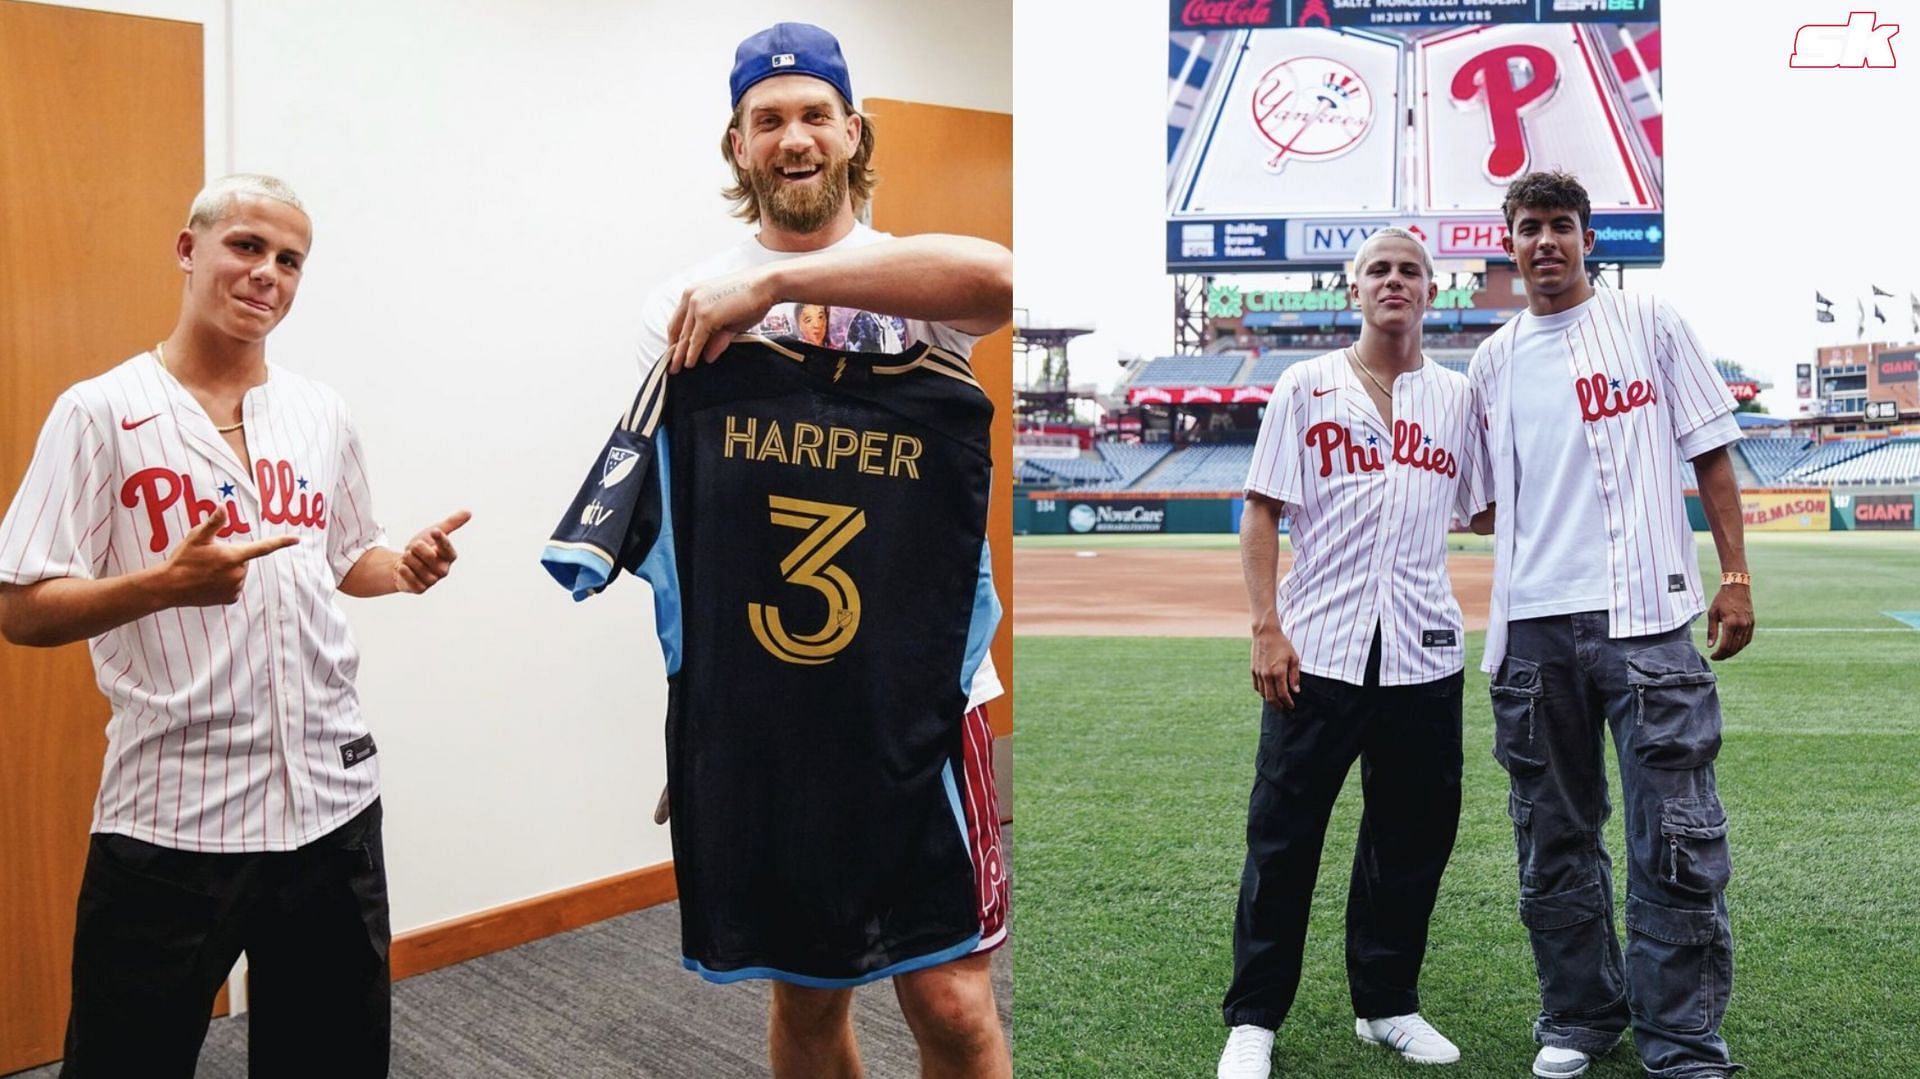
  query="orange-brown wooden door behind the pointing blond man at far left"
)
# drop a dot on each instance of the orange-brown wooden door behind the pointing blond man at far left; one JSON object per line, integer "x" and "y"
{"x": 101, "y": 151}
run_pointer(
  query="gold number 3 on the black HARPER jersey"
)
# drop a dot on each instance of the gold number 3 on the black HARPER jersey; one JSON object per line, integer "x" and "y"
{"x": 809, "y": 565}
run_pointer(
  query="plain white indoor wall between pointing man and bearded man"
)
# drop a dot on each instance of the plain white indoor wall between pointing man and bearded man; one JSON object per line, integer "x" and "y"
{"x": 494, "y": 189}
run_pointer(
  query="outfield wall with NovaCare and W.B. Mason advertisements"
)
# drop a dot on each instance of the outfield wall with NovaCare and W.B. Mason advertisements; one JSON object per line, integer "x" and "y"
{"x": 1040, "y": 512}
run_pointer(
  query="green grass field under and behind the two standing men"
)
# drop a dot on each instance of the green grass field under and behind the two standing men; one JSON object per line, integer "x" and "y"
{"x": 1136, "y": 759}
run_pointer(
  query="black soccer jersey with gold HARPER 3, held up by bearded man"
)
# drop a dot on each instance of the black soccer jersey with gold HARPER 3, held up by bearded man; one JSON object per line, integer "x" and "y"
{"x": 813, "y": 527}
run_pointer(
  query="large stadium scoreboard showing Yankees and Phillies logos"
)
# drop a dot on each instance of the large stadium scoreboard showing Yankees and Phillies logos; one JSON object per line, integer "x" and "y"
{"x": 1301, "y": 128}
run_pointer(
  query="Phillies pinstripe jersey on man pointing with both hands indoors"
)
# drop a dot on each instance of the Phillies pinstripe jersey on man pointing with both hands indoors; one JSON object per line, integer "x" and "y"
{"x": 235, "y": 729}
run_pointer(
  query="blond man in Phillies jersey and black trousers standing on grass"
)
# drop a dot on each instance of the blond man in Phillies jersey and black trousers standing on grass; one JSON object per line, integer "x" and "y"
{"x": 1358, "y": 654}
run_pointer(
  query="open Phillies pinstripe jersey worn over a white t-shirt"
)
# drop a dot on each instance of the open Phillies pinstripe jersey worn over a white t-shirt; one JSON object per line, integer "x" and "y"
{"x": 1646, "y": 396}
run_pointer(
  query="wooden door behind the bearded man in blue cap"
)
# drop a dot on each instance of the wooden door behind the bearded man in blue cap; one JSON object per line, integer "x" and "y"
{"x": 946, "y": 170}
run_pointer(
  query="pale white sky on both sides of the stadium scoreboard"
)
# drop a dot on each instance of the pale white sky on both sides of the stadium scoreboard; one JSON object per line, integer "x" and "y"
{"x": 1779, "y": 183}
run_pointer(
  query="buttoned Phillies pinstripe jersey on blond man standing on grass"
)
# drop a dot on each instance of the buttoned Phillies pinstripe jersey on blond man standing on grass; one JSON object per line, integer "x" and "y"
{"x": 1370, "y": 510}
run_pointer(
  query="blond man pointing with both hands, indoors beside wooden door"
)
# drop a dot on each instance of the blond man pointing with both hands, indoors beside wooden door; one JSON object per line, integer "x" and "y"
{"x": 193, "y": 516}
